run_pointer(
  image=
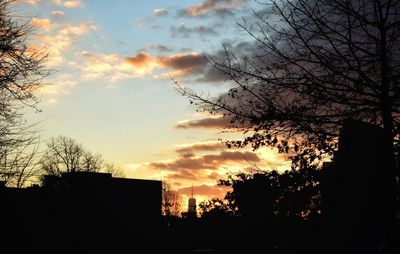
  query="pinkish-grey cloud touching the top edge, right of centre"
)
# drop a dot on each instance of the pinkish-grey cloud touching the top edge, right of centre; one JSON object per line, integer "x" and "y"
{"x": 213, "y": 6}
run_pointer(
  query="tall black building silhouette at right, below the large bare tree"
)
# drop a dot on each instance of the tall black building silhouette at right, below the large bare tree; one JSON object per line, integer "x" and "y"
{"x": 357, "y": 188}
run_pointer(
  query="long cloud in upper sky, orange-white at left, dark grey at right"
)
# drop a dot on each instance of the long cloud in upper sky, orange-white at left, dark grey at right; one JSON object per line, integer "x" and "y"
{"x": 191, "y": 66}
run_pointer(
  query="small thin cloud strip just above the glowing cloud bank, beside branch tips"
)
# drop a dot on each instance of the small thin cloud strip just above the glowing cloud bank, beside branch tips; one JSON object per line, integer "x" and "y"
{"x": 208, "y": 123}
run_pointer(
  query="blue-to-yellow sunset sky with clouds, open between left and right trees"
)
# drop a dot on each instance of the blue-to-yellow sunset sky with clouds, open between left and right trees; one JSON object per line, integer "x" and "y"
{"x": 111, "y": 88}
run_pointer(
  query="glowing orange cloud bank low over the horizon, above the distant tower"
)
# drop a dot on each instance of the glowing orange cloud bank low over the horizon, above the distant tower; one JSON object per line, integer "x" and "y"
{"x": 204, "y": 163}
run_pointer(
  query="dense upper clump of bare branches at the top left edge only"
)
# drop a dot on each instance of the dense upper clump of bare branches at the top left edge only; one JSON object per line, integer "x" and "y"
{"x": 22, "y": 66}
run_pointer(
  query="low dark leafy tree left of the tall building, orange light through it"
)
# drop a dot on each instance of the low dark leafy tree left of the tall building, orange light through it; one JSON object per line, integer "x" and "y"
{"x": 291, "y": 193}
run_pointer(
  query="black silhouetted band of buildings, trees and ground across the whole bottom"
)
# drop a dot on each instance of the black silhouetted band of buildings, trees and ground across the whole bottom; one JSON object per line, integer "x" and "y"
{"x": 343, "y": 207}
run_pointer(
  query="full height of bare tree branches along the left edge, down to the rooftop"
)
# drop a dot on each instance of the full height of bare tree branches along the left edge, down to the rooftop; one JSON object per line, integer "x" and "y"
{"x": 22, "y": 68}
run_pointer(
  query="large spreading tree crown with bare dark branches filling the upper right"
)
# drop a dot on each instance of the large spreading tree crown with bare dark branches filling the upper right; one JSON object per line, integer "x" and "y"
{"x": 313, "y": 64}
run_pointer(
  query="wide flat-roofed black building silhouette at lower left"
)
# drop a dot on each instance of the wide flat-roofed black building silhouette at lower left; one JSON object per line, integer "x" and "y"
{"x": 83, "y": 212}
